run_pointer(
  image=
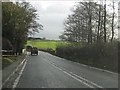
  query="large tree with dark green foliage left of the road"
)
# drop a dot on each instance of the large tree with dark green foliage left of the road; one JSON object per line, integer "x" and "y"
{"x": 18, "y": 21}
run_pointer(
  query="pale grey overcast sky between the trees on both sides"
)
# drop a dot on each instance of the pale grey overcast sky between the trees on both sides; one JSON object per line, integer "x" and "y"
{"x": 52, "y": 15}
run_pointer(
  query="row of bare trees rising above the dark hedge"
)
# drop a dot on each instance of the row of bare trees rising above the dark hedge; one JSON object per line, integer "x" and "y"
{"x": 91, "y": 22}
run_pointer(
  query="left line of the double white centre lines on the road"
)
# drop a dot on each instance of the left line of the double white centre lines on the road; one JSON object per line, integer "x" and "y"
{"x": 83, "y": 82}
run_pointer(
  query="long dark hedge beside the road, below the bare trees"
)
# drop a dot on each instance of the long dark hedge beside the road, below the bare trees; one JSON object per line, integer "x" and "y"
{"x": 102, "y": 55}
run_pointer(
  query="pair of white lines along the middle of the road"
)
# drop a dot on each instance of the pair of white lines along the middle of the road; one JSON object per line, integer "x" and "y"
{"x": 76, "y": 77}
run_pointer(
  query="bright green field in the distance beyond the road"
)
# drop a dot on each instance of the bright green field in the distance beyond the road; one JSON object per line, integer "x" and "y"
{"x": 44, "y": 44}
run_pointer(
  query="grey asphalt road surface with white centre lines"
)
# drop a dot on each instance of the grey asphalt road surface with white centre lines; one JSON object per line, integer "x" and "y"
{"x": 48, "y": 71}
